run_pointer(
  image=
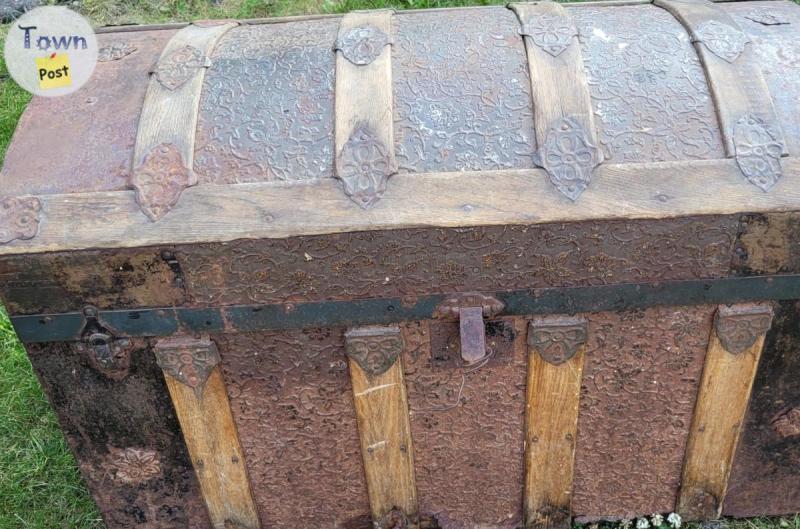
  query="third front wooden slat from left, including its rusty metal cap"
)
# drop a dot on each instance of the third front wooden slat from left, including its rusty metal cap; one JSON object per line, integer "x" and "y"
{"x": 555, "y": 366}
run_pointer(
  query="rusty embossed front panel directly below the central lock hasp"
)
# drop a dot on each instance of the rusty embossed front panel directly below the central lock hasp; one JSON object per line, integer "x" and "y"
{"x": 467, "y": 424}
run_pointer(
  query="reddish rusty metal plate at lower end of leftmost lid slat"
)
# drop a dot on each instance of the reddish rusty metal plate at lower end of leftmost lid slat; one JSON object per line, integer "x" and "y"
{"x": 160, "y": 180}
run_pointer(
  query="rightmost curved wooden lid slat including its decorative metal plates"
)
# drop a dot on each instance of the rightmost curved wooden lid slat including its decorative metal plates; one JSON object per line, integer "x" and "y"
{"x": 751, "y": 131}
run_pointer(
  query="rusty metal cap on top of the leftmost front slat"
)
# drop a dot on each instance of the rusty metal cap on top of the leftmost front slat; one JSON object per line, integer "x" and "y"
{"x": 188, "y": 359}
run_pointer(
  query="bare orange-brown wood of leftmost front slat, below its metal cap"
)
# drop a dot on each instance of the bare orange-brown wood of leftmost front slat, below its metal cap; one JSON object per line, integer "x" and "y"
{"x": 213, "y": 443}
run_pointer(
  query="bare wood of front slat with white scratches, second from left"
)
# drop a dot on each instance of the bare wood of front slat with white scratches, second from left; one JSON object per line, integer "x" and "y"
{"x": 381, "y": 406}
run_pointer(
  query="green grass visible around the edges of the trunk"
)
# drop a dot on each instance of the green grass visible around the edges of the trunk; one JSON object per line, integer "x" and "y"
{"x": 40, "y": 487}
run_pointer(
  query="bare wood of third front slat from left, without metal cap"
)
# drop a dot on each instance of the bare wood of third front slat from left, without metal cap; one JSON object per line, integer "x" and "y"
{"x": 551, "y": 416}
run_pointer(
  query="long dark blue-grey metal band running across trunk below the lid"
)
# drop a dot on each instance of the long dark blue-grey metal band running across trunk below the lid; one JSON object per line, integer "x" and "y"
{"x": 252, "y": 318}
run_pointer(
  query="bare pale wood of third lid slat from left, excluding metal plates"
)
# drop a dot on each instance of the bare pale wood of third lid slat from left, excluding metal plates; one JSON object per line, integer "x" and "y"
{"x": 558, "y": 84}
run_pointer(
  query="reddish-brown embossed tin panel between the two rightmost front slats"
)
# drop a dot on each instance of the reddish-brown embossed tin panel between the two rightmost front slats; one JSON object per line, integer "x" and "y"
{"x": 638, "y": 392}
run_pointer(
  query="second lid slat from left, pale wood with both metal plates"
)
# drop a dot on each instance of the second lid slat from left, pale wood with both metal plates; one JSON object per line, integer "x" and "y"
{"x": 364, "y": 126}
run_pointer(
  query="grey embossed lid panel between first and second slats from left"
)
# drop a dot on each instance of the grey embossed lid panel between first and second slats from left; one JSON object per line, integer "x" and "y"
{"x": 266, "y": 112}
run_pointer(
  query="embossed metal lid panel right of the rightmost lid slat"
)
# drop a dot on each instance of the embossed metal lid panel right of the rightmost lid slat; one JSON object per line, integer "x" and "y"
{"x": 778, "y": 50}
